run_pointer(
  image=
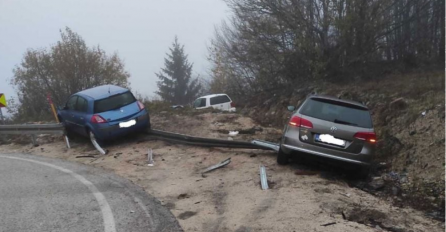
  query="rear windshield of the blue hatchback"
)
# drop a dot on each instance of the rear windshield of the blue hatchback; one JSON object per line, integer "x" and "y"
{"x": 113, "y": 102}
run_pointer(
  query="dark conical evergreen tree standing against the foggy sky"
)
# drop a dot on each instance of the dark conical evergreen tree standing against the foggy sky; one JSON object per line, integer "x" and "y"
{"x": 176, "y": 84}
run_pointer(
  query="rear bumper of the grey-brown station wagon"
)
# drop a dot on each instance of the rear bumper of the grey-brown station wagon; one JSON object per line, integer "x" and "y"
{"x": 291, "y": 142}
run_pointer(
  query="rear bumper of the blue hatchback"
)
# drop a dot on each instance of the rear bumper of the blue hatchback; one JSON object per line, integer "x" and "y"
{"x": 106, "y": 132}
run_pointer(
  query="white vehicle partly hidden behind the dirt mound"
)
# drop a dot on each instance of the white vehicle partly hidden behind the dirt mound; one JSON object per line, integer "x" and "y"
{"x": 216, "y": 101}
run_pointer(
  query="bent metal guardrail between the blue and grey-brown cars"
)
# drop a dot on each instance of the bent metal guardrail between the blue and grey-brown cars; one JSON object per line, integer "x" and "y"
{"x": 208, "y": 142}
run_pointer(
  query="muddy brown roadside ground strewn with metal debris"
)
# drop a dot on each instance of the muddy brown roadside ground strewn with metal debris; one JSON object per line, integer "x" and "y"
{"x": 302, "y": 197}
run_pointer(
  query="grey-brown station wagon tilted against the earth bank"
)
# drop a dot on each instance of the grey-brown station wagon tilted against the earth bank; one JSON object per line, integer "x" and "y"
{"x": 332, "y": 128}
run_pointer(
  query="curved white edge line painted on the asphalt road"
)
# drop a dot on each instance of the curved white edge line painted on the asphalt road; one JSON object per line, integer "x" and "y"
{"x": 107, "y": 214}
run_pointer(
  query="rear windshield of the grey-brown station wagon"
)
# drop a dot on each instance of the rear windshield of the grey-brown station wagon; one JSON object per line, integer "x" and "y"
{"x": 337, "y": 112}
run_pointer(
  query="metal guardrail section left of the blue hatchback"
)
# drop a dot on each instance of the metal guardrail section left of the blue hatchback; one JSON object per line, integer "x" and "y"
{"x": 32, "y": 129}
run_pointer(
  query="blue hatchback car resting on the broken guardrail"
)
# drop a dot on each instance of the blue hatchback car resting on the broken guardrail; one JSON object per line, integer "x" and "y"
{"x": 104, "y": 112}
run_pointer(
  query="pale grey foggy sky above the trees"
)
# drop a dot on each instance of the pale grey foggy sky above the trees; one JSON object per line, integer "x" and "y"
{"x": 141, "y": 32}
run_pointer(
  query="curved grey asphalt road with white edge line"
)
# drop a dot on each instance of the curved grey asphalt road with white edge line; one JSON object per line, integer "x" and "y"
{"x": 42, "y": 194}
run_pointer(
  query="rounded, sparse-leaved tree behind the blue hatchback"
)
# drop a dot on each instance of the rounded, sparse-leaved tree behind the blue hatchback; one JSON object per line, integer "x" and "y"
{"x": 65, "y": 68}
